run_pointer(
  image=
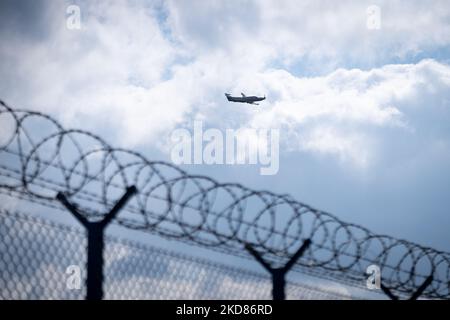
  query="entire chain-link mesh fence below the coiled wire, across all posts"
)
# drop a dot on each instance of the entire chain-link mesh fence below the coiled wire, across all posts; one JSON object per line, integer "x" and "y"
{"x": 39, "y": 259}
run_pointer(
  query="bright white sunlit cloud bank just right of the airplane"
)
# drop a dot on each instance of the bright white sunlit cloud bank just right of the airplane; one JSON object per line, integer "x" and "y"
{"x": 348, "y": 113}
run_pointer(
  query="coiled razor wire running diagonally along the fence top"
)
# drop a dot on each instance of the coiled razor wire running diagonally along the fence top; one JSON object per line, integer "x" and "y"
{"x": 40, "y": 158}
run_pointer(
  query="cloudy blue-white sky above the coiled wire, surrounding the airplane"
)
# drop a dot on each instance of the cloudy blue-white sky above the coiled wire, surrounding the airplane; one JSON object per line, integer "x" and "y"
{"x": 363, "y": 112}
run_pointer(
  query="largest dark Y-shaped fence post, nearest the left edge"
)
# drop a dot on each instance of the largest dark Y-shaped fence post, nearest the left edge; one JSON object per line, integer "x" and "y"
{"x": 95, "y": 230}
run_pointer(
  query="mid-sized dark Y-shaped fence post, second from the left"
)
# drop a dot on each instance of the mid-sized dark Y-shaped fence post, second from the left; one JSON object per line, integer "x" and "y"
{"x": 279, "y": 274}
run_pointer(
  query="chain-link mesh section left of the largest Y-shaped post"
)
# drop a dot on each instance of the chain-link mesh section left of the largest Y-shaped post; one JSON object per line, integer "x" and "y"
{"x": 34, "y": 256}
